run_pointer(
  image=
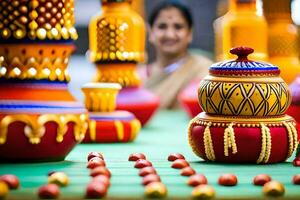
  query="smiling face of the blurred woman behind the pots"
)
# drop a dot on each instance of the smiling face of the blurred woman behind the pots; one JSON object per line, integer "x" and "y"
{"x": 170, "y": 33}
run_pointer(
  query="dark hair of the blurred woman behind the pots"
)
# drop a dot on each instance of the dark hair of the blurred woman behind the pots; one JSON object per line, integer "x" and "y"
{"x": 185, "y": 11}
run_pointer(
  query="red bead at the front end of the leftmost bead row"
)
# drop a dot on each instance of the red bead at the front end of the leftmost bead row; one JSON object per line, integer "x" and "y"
{"x": 95, "y": 190}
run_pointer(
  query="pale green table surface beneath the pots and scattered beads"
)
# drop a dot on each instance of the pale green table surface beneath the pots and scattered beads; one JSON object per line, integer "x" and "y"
{"x": 165, "y": 134}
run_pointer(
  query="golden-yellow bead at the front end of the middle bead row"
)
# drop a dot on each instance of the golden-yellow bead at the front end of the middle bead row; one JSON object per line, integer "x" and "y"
{"x": 155, "y": 190}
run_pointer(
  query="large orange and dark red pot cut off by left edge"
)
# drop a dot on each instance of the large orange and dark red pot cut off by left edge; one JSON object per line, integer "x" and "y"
{"x": 39, "y": 118}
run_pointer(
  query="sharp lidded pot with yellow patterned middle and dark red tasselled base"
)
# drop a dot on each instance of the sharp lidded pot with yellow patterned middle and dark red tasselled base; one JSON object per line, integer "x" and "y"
{"x": 244, "y": 104}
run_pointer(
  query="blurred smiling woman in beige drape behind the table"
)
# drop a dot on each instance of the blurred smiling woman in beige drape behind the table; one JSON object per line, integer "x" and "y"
{"x": 171, "y": 32}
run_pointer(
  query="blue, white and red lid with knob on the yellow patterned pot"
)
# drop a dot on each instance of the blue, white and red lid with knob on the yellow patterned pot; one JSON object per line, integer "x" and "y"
{"x": 242, "y": 66}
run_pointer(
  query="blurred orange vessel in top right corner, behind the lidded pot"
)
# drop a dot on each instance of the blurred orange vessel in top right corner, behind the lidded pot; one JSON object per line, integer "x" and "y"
{"x": 283, "y": 38}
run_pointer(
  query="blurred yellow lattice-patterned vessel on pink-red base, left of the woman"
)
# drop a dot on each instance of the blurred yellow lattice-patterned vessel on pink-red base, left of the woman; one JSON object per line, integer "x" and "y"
{"x": 117, "y": 43}
